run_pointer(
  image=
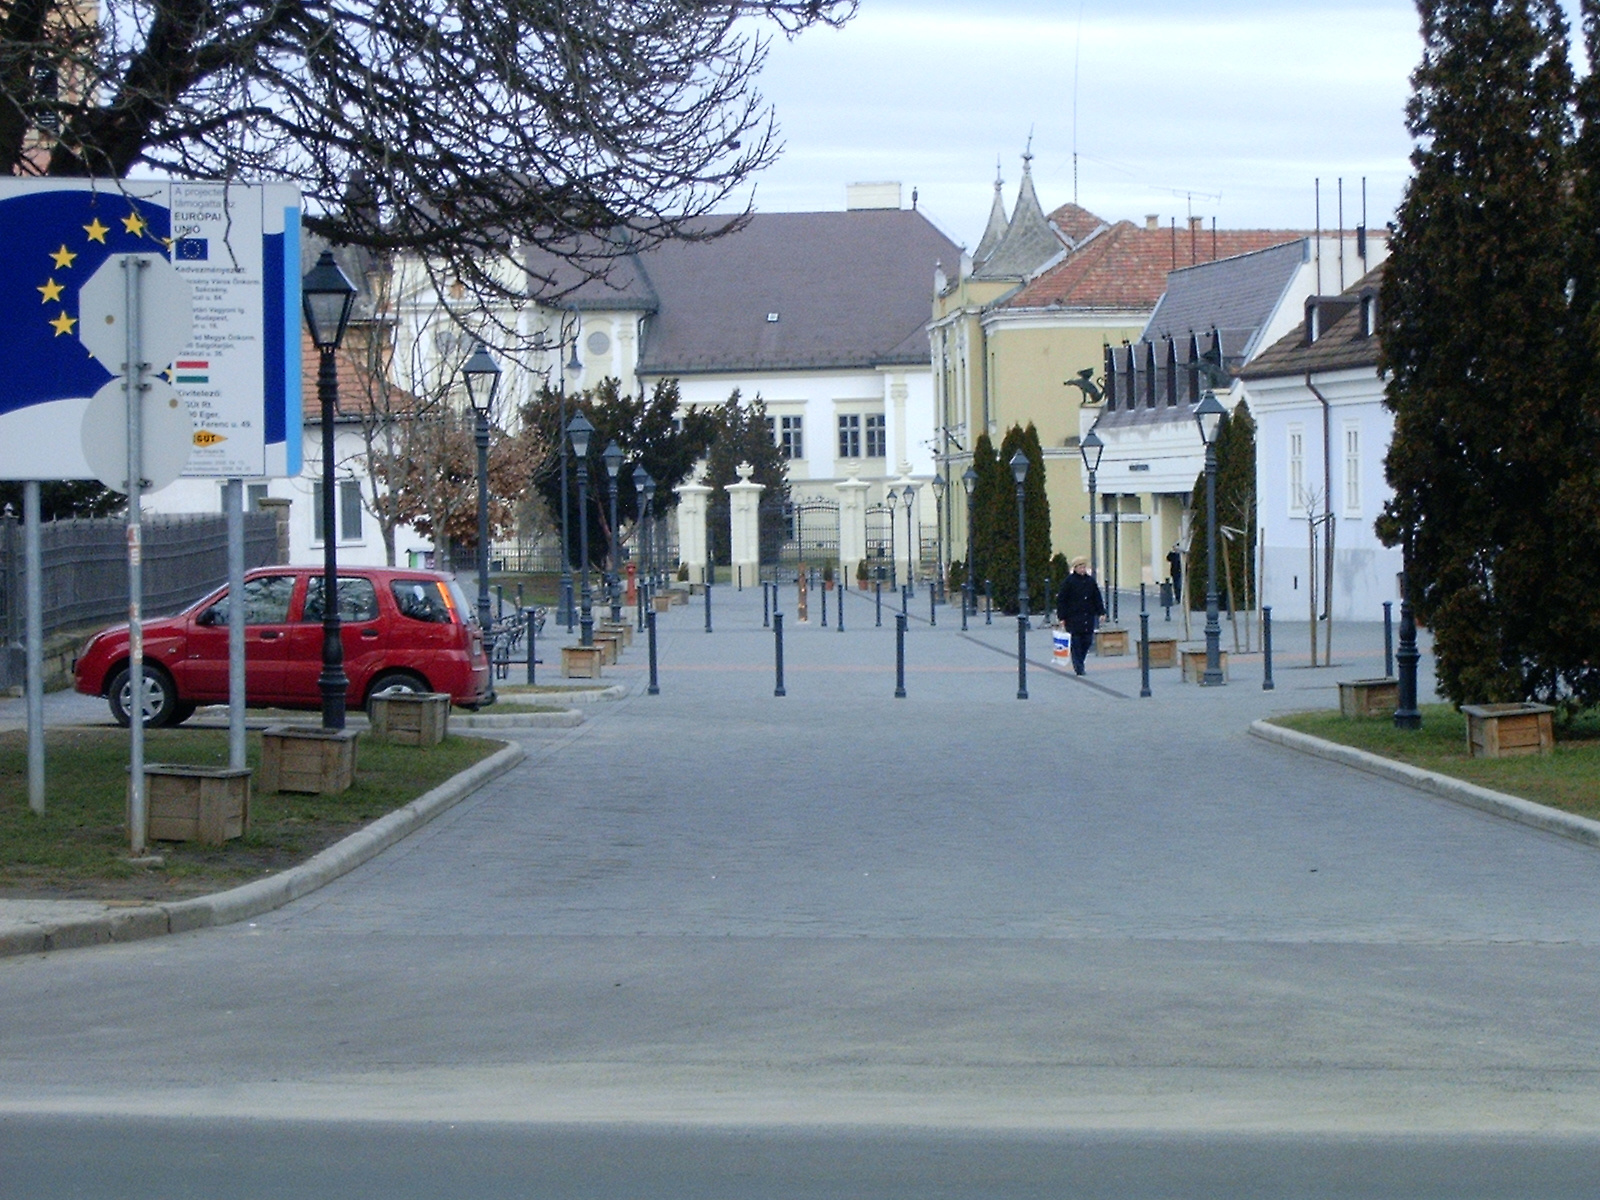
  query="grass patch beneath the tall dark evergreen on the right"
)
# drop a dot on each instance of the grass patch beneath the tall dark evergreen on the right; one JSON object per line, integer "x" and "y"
{"x": 1567, "y": 780}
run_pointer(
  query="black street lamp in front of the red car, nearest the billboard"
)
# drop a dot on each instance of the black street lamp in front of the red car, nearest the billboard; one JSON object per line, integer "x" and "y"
{"x": 329, "y": 297}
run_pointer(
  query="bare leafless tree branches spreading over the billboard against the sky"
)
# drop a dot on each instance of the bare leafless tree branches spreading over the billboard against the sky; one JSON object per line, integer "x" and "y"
{"x": 455, "y": 132}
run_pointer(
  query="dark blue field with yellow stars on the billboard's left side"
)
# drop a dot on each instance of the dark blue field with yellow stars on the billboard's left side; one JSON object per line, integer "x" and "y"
{"x": 55, "y": 241}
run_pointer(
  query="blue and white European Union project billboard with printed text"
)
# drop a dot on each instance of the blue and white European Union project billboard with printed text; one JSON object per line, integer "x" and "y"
{"x": 238, "y": 247}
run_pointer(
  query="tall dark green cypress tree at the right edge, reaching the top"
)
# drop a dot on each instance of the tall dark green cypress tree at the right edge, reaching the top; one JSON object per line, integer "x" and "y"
{"x": 1478, "y": 330}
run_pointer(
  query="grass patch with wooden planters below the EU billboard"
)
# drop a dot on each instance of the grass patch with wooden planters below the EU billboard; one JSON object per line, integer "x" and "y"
{"x": 79, "y": 849}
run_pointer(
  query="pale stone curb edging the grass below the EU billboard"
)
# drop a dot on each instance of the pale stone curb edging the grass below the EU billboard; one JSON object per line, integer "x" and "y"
{"x": 250, "y": 900}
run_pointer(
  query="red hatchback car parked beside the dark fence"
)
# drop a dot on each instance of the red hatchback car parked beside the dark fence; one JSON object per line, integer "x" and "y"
{"x": 404, "y": 631}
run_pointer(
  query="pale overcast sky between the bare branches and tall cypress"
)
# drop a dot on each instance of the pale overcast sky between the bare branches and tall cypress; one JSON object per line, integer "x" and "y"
{"x": 1217, "y": 108}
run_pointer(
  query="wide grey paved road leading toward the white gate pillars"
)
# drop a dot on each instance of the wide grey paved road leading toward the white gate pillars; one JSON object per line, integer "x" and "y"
{"x": 1087, "y": 919}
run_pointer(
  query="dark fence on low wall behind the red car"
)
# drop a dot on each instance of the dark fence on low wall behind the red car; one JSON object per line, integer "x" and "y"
{"x": 86, "y": 570}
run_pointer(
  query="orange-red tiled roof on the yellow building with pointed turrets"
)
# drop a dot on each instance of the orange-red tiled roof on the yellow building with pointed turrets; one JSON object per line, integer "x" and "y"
{"x": 1127, "y": 266}
